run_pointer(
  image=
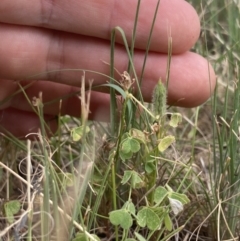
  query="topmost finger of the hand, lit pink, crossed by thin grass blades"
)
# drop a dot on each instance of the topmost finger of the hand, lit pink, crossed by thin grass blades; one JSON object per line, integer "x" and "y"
{"x": 175, "y": 18}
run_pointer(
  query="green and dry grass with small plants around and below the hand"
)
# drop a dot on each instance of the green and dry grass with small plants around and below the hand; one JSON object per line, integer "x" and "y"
{"x": 127, "y": 180}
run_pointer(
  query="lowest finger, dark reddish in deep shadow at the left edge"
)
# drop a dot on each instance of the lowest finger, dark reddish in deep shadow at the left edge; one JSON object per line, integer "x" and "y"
{"x": 20, "y": 123}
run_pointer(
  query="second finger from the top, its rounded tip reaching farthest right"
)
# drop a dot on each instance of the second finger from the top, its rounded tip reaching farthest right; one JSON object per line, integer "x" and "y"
{"x": 26, "y": 57}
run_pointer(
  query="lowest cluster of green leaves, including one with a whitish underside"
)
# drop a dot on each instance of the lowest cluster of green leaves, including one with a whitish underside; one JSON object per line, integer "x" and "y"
{"x": 165, "y": 201}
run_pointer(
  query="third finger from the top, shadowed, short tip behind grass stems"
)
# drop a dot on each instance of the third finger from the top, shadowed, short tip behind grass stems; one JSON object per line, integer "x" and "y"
{"x": 58, "y": 99}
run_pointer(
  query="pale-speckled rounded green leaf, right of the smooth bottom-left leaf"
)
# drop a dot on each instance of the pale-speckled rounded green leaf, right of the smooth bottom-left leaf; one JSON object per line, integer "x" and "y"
{"x": 146, "y": 217}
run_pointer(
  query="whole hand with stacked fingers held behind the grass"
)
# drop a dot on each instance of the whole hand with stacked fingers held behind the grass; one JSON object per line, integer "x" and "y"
{"x": 40, "y": 36}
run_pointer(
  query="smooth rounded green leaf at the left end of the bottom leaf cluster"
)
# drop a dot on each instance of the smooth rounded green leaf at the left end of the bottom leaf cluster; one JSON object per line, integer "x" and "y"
{"x": 121, "y": 217}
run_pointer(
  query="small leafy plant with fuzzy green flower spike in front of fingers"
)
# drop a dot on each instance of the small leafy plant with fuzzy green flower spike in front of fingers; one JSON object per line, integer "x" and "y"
{"x": 144, "y": 147}
